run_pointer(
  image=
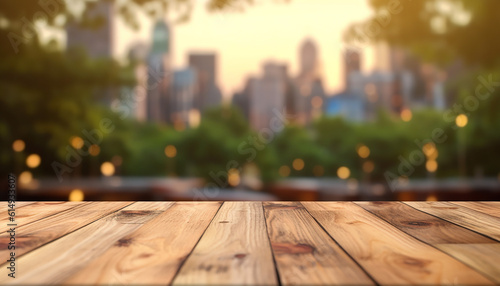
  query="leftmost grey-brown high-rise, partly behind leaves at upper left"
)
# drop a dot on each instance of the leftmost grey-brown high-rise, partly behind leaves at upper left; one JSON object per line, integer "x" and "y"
{"x": 97, "y": 41}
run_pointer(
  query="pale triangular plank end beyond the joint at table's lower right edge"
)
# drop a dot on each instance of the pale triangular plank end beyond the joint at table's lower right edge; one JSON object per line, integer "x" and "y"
{"x": 484, "y": 257}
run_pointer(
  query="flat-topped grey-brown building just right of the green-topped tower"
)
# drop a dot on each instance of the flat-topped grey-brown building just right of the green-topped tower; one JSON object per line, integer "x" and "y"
{"x": 207, "y": 90}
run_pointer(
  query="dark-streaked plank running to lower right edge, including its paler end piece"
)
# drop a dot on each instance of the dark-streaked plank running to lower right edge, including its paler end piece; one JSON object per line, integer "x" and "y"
{"x": 455, "y": 240}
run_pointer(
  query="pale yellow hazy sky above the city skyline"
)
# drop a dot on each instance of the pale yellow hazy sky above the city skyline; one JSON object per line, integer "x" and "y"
{"x": 267, "y": 30}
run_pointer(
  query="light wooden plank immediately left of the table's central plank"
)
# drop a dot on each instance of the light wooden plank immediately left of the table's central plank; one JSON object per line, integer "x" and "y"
{"x": 153, "y": 253}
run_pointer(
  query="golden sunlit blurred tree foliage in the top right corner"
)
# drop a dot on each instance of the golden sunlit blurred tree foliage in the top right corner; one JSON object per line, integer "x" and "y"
{"x": 439, "y": 30}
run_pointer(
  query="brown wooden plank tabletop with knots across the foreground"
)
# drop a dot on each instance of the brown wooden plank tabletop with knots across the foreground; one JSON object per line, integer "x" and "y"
{"x": 332, "y": 243}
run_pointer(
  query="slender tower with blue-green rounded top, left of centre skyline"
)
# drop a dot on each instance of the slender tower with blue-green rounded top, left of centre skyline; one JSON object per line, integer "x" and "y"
{"x": 158, "y": 99}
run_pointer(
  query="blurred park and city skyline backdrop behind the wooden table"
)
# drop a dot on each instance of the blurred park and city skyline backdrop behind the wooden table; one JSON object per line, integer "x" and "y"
{"x": 250, "y": 100}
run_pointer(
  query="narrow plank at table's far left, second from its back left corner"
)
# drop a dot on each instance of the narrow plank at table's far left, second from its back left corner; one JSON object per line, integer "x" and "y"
{"x": 34, "y": 212}
